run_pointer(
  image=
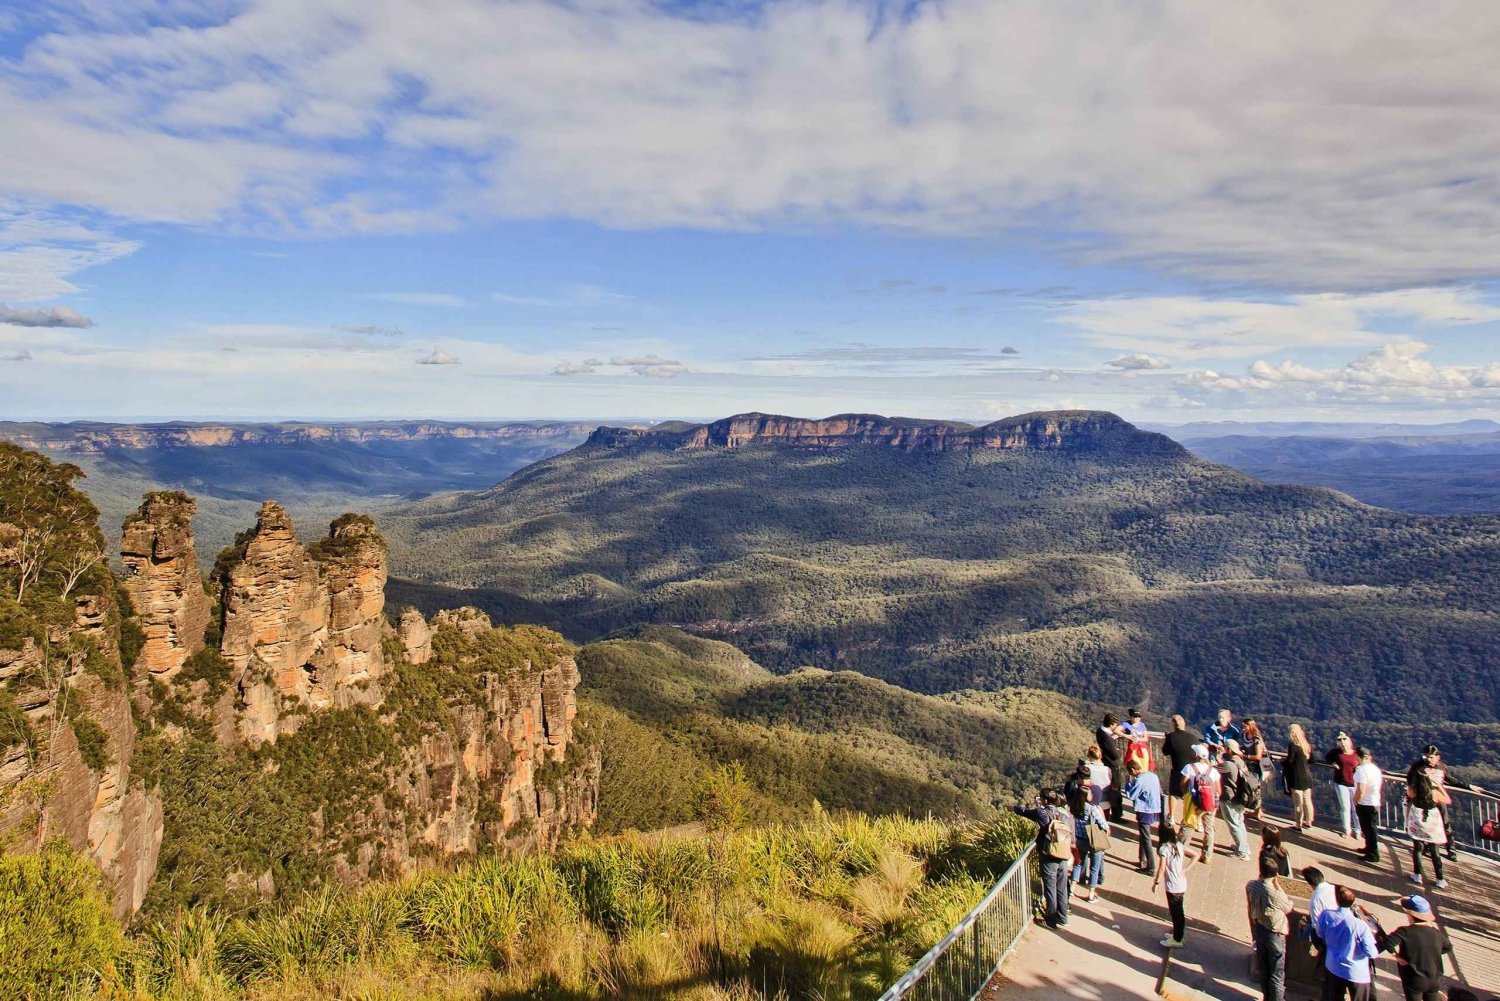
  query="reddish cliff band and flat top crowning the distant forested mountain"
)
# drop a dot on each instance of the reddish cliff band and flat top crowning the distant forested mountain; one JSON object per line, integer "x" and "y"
{"x": 1055, "y": 431}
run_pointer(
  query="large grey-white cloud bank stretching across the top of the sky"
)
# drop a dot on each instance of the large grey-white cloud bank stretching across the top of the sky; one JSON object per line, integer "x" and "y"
{"x": 1325, "y": 146}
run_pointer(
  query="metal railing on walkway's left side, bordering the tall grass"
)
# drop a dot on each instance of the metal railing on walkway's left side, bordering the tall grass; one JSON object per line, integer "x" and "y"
{"x": 967, "y": 958}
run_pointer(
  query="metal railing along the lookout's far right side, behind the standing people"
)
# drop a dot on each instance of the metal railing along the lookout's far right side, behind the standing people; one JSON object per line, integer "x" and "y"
{"x": 1466, "y": 814}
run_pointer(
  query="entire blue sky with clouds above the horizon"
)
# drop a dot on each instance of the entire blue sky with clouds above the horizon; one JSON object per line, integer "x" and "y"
{"x": 605, "y": 209}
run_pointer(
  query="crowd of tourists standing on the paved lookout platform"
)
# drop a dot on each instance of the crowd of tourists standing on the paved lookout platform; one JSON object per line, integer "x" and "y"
{"x": 1220, "y": 775}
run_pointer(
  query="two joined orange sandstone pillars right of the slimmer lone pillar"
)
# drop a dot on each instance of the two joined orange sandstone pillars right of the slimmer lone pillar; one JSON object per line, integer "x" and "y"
{"x": 301, "y": 628}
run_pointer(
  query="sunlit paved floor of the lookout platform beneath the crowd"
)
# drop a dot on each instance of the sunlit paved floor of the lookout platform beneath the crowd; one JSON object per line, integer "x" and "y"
{"x": 1111, "y": 949}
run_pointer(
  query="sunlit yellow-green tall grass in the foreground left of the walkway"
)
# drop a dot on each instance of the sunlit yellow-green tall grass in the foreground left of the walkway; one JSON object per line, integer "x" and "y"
{"x": 826, "y": 909}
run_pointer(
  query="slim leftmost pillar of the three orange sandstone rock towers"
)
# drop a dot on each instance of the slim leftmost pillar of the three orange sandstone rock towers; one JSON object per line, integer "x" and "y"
{"x": 164, "y": 583}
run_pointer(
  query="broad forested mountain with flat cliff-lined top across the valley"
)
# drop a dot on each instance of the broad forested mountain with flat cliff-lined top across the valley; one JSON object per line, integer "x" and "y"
{"x": 1069, "y": 552}
